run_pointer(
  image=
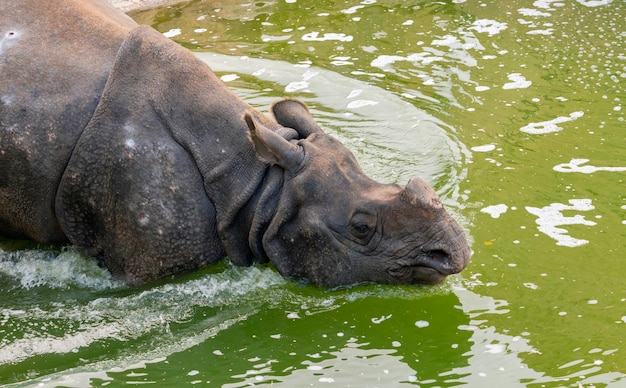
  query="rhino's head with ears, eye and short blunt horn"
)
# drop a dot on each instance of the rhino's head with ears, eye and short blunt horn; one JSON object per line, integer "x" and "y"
{"x": 334, "y": 225}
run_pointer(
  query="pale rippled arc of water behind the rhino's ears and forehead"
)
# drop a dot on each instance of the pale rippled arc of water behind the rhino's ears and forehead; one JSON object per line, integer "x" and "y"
{"x": 355, "y": 112}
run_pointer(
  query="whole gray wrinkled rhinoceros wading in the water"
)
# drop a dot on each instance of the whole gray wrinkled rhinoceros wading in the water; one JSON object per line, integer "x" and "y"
{"x": 121, "y": 142}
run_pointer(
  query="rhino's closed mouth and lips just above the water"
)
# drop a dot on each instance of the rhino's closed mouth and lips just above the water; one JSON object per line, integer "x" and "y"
{"x": 426, "y": 268}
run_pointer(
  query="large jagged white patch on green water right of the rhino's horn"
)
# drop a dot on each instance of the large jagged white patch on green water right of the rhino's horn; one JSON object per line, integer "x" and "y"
{"x": 551, "y": 217}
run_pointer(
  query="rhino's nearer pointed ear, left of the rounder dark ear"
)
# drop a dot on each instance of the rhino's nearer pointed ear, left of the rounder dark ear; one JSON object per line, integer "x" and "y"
{"x": 273, "y": 148}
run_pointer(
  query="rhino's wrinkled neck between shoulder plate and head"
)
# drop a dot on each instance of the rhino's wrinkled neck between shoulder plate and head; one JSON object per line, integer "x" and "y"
{"x": 206, "y": 119}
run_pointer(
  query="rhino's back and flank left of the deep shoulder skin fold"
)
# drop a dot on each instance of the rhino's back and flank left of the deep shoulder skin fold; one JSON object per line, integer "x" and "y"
{"x": 55, "y": 57}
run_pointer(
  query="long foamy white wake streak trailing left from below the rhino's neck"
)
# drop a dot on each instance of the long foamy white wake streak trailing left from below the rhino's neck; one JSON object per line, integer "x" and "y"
{"x": 112, "y": 318}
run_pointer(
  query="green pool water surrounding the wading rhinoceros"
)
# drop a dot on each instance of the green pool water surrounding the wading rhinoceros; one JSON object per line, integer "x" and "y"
{"x": 512, "y": 110}
